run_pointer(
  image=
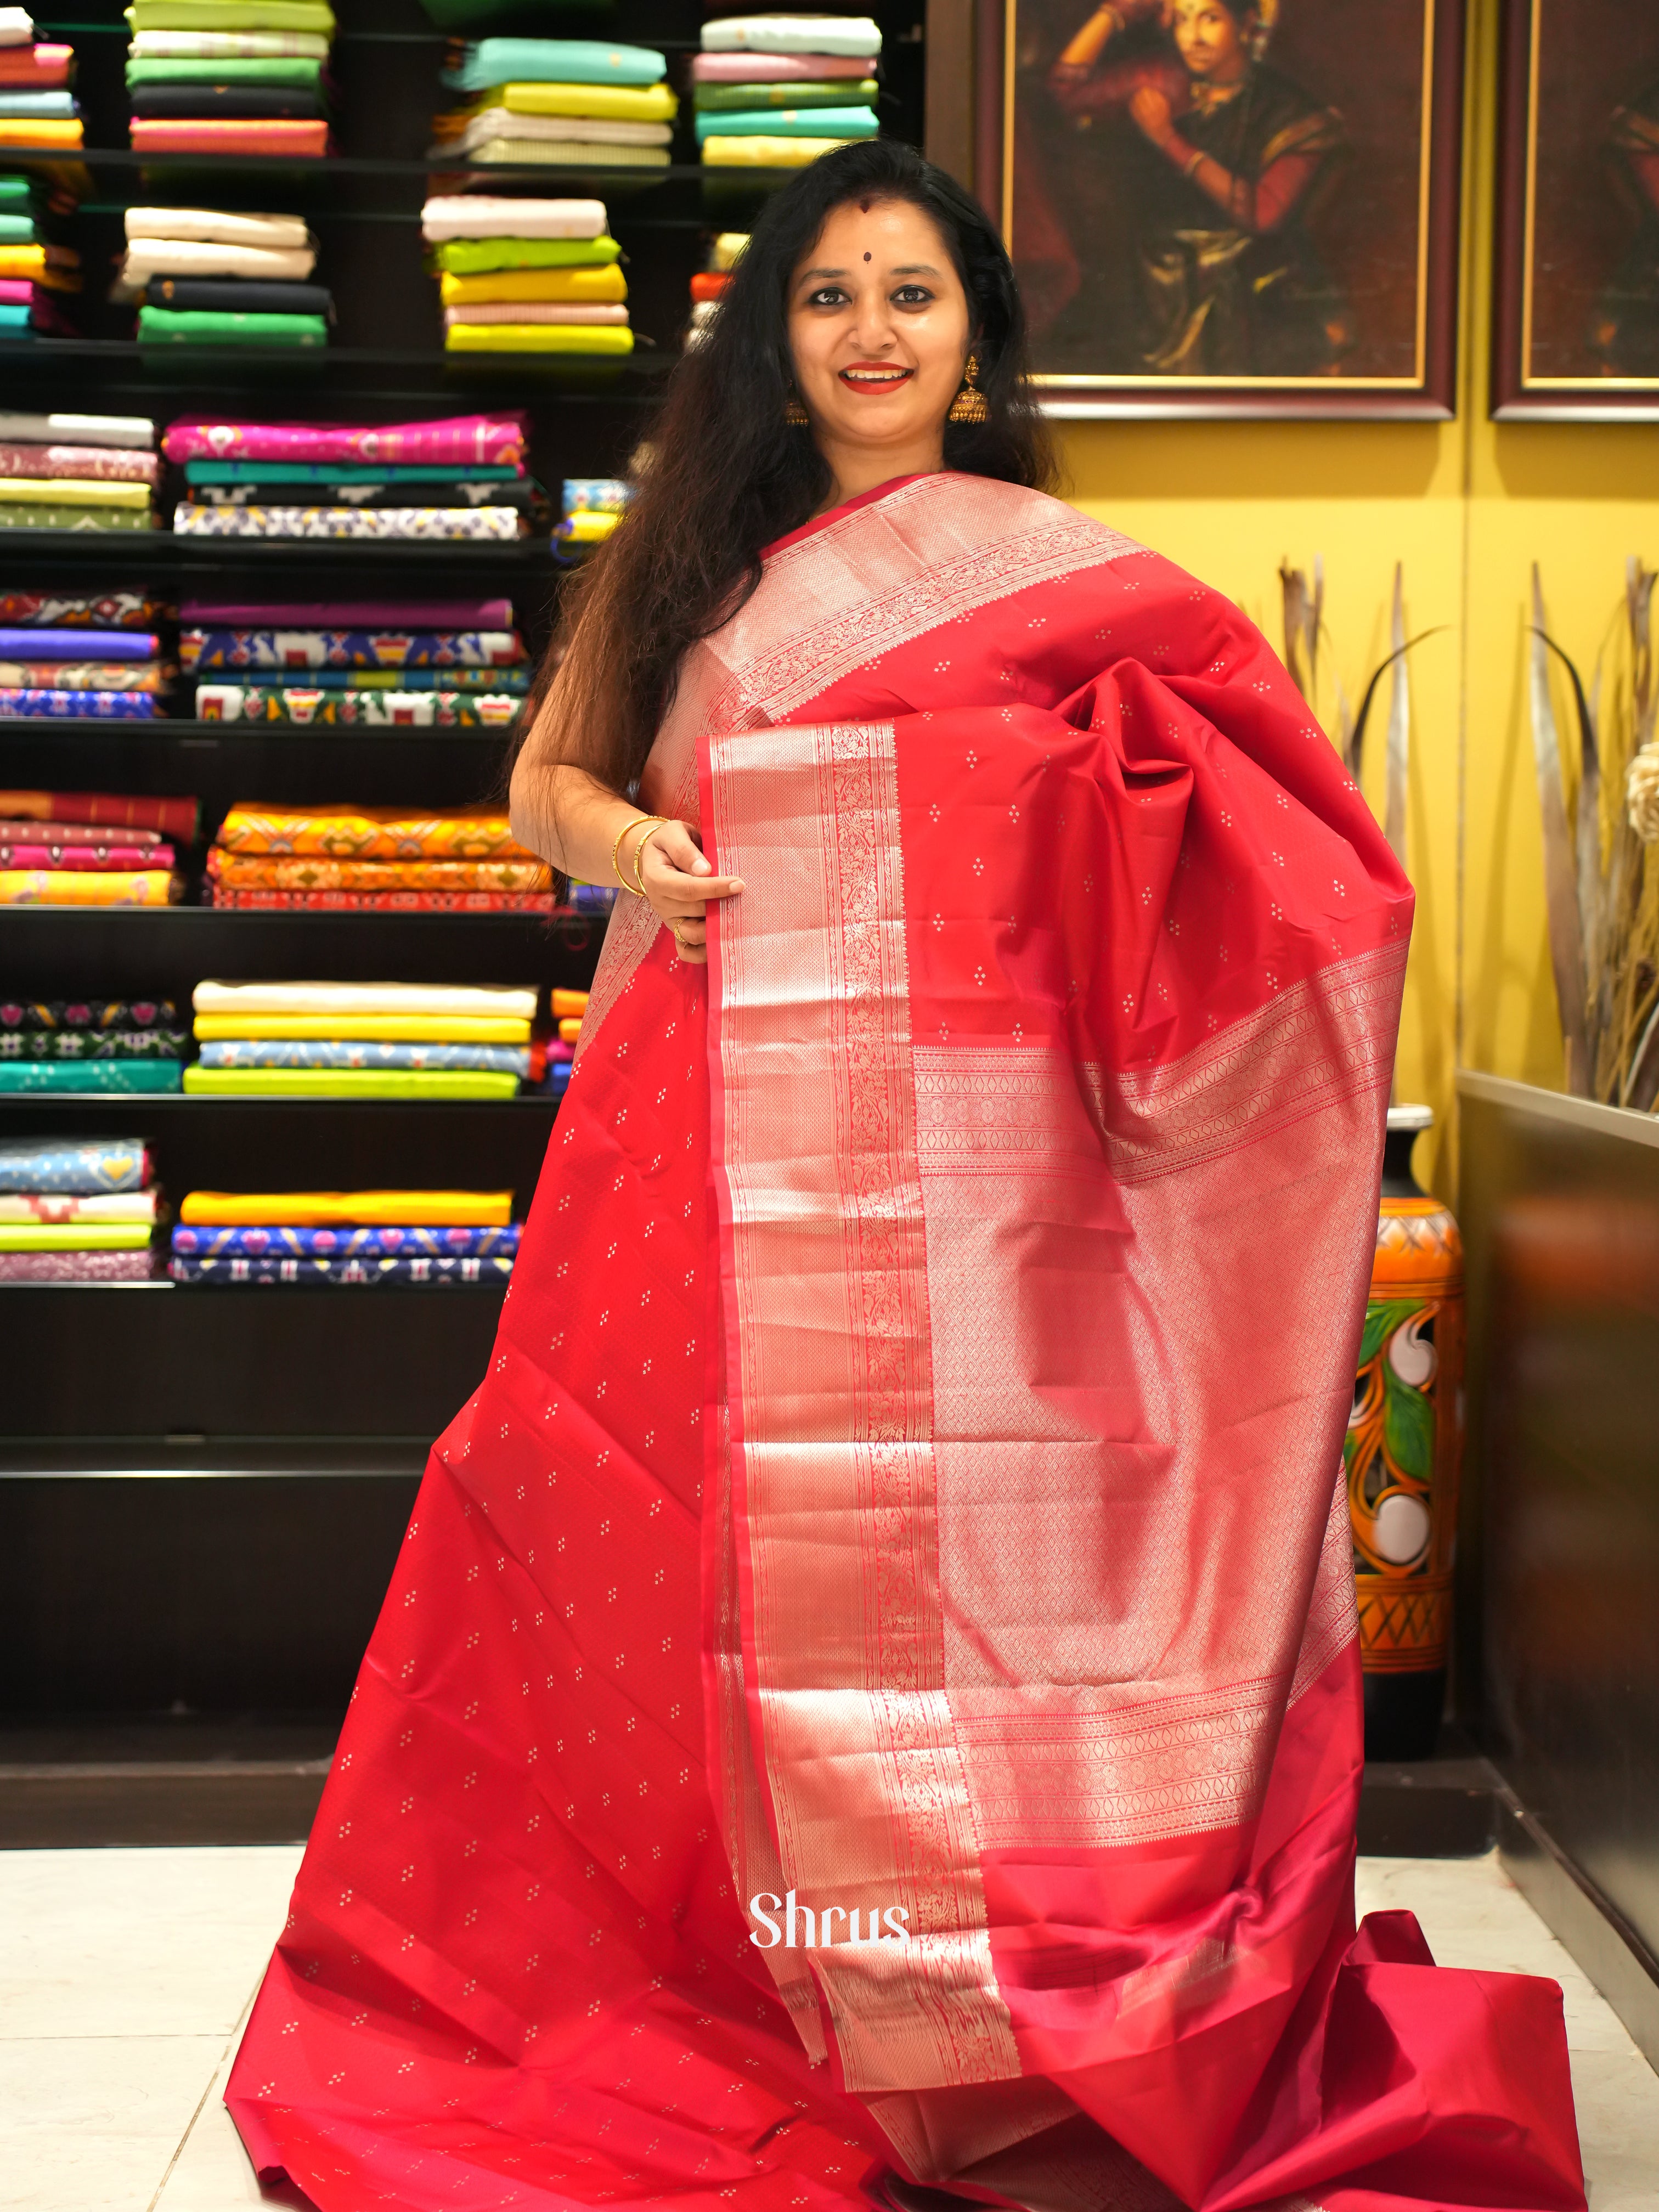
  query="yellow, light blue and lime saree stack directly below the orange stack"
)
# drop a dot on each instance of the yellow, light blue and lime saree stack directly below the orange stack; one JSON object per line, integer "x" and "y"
{"x": 379, "y": 1041}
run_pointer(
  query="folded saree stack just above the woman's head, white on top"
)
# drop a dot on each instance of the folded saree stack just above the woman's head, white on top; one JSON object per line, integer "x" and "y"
{"x": 775, "y": 92}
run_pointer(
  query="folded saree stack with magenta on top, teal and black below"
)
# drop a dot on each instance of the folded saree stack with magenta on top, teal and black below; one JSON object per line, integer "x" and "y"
{"x": 452, "y": 479}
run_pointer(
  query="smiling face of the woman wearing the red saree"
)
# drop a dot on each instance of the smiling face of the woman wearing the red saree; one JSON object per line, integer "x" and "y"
{"x": 879, "y": 326}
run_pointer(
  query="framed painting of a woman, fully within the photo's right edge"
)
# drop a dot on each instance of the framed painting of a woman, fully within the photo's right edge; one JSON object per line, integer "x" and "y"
{"x": 1229, "y": 207}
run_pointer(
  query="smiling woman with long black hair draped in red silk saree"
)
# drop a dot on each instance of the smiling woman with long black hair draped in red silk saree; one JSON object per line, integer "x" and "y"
{"x": 870, "y": 1698}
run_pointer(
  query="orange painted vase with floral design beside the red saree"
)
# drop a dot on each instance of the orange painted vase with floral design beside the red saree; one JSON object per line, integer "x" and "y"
{"x": 1404, "y": 1454}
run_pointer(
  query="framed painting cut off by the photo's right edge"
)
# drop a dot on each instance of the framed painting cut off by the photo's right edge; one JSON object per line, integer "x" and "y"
{"x": 1578, "y": 213}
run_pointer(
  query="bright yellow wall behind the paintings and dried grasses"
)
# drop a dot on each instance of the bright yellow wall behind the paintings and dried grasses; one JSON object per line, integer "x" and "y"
{"x": 1468, "y": 508}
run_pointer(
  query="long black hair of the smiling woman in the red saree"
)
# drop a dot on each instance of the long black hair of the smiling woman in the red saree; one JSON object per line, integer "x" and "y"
{"x": 729, "y": 472}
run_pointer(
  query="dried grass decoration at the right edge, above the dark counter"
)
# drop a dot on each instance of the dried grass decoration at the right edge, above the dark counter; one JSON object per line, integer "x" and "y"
{"x": 1600, "y": 895}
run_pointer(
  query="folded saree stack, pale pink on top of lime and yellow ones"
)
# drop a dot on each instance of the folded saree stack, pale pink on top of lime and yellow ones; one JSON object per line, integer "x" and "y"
{"x": 528, "y": 275}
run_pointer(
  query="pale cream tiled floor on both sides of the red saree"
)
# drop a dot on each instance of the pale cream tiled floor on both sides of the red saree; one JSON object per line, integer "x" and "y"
{"x": 125, "y": 1979}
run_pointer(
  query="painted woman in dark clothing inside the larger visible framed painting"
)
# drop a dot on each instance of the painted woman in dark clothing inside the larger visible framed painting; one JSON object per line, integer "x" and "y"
{"x": 1218, "y": 178}
